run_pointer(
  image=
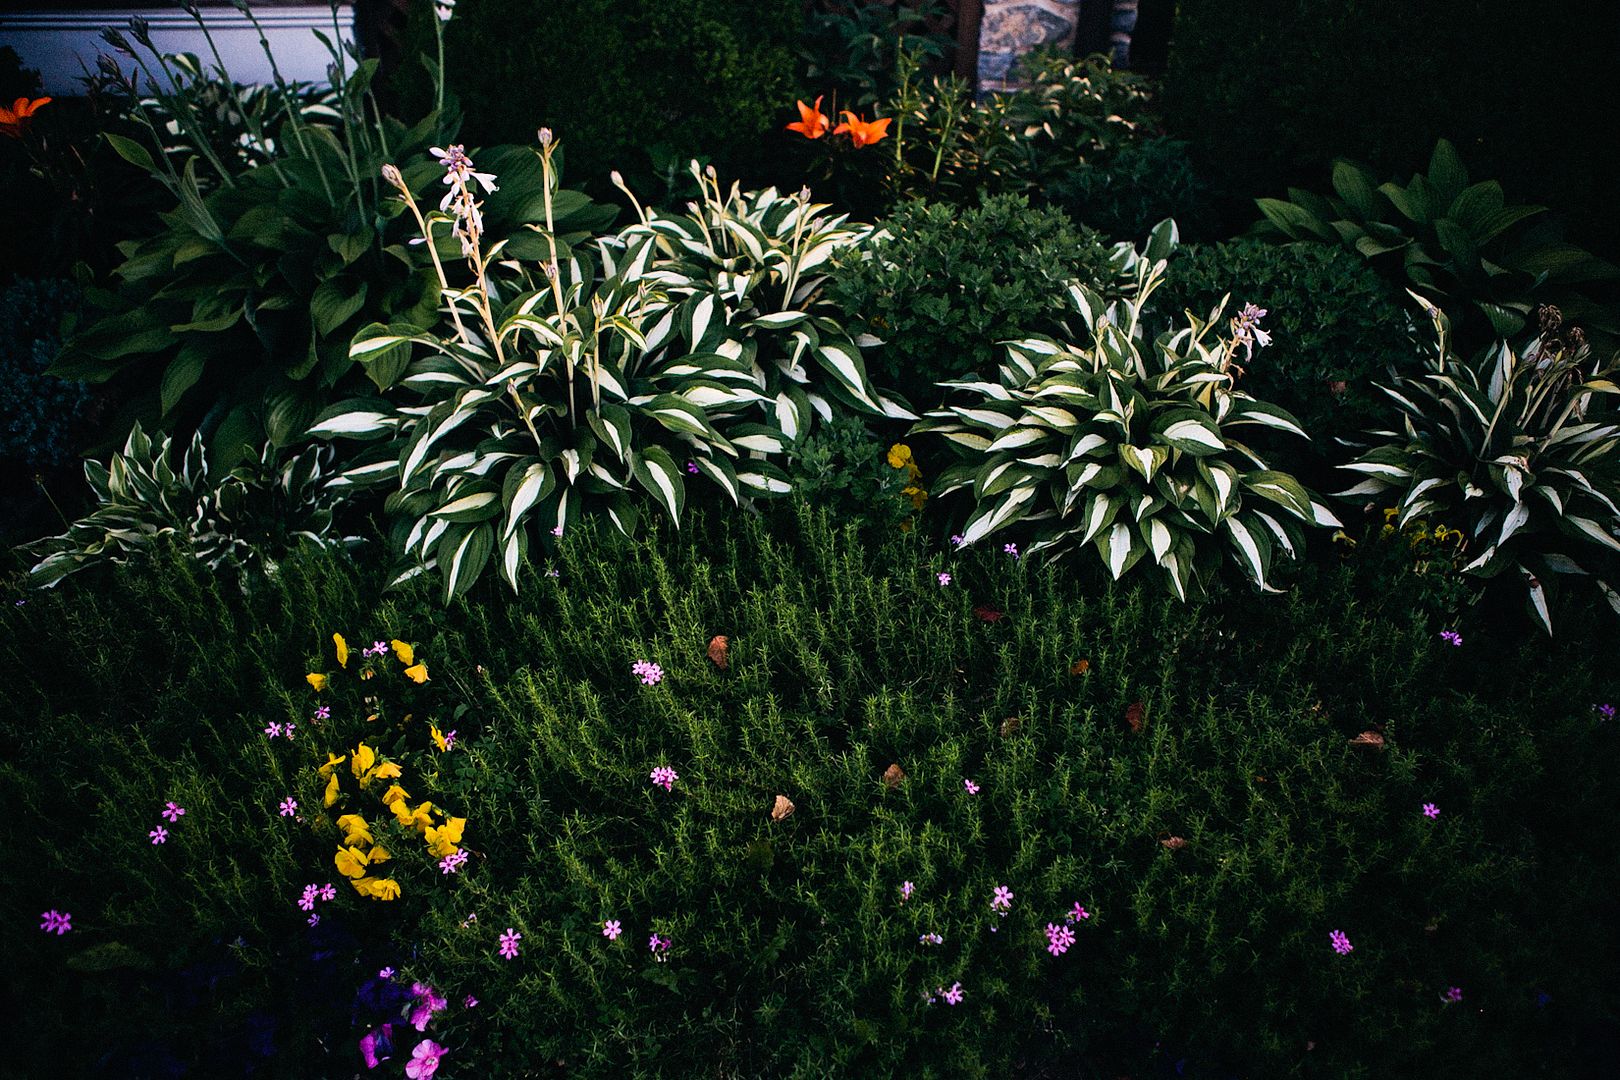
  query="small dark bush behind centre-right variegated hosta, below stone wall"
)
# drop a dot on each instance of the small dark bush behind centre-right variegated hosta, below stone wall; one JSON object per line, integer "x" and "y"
{"x": 1141, "y": 185}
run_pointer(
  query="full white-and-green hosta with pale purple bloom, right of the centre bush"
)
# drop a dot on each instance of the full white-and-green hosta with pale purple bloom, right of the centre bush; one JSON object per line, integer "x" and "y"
{"x": 1130, "y": 448}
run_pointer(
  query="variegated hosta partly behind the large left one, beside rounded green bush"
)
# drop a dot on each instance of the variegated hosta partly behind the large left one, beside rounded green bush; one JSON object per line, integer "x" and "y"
{"x": 743, "y": 274}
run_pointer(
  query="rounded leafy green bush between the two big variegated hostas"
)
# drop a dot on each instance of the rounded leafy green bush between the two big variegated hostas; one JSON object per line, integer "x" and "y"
{"x": 949, "y": 284}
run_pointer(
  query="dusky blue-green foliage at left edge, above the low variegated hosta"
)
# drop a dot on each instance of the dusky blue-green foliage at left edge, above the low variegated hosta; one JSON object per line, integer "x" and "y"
{"x": 40, "y": 415}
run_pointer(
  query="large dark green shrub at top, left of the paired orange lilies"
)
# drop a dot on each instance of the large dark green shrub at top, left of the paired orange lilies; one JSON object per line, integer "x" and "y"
{"x": 616, "y": 77}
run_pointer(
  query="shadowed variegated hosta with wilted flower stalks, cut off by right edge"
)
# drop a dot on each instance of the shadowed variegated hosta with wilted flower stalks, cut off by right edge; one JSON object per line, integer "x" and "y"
{"x": 1519, "y": 453}
